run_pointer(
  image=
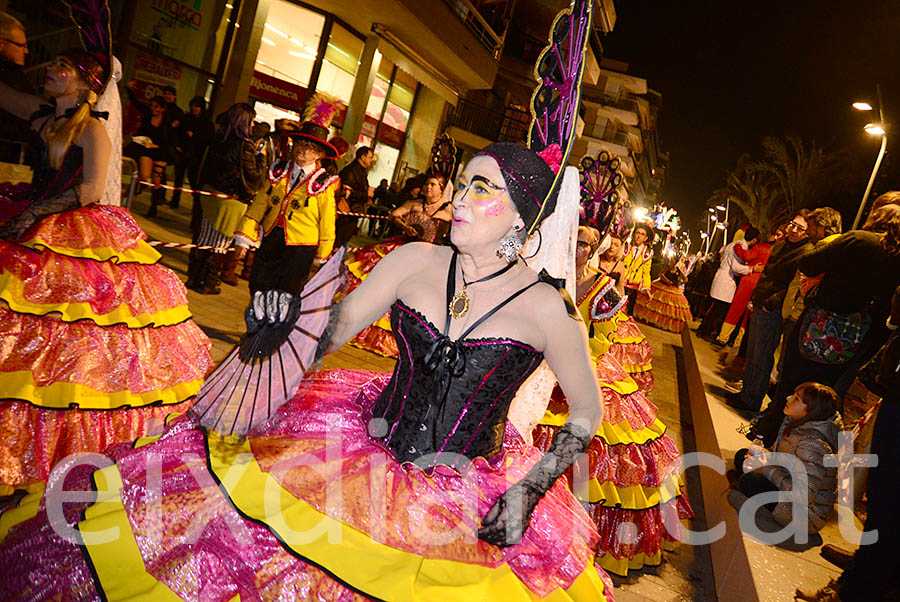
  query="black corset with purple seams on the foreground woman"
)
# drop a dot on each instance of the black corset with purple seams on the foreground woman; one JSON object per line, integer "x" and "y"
{"x": 446, "y": 398}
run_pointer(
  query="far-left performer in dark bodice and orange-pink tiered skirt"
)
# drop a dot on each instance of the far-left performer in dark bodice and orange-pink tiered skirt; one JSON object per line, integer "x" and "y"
{"x": 96, "y": 340}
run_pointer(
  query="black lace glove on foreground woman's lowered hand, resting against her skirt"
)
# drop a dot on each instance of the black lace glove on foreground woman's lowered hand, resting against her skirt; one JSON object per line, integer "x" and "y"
{"x": 509, "y": 517}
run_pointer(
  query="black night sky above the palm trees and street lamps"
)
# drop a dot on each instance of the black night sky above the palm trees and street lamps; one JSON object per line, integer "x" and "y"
{"x": 733, "y": 71}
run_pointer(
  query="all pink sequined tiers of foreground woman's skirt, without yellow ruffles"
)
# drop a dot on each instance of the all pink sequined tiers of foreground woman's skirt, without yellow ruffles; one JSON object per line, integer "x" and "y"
{"x": 204, "y": 550}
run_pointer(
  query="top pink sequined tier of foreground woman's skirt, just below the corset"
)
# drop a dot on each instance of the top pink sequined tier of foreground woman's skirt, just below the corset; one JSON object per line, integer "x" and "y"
{"x": 555, "y": 549}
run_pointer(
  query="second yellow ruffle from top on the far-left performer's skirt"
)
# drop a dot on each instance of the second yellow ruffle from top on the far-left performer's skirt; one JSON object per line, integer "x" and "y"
{"x": 12, "y": 292}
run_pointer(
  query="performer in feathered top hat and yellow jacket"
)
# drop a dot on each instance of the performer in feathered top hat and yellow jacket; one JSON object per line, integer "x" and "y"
{"x": 292, "y": 219}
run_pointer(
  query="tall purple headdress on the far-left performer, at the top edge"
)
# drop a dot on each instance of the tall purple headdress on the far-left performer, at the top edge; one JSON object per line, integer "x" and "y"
{"x": 93, "y": 62}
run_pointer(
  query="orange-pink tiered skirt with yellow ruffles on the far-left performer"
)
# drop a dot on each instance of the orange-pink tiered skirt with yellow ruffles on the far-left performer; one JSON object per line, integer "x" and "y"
{"x": 96, "y": 341}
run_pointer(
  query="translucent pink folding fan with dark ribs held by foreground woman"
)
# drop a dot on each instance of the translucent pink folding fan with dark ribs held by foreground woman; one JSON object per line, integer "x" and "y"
{"x": 240, "y": 397}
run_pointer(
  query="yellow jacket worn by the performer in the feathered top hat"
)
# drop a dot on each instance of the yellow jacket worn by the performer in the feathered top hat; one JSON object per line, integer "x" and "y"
{"x": 306, "y": 211}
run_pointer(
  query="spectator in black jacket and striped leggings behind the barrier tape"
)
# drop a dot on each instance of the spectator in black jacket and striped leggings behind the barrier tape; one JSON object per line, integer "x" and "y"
{"x": 236, "y": 166}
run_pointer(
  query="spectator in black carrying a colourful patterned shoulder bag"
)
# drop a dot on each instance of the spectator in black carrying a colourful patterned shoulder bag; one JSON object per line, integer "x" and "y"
{"x": 846, "y": 313}
